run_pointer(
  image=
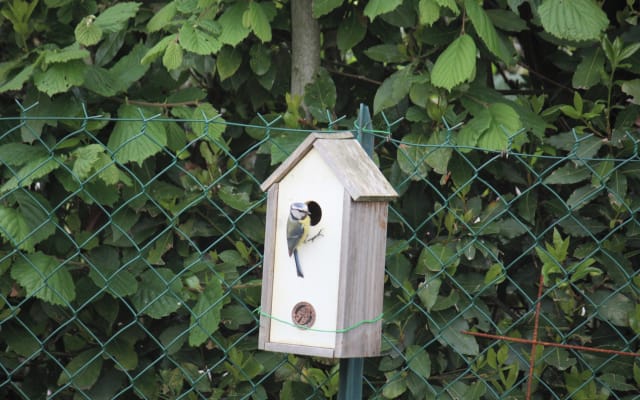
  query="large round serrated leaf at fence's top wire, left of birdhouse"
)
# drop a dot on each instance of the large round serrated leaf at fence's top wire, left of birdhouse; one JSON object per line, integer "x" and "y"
{"x": 135, "y": 140}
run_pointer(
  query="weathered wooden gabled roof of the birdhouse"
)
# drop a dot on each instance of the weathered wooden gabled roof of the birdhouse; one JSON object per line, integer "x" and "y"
{"x": 352, "y": 166}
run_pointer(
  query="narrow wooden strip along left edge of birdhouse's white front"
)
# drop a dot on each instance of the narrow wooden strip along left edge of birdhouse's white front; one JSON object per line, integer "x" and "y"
{"x": 267, "y": 266}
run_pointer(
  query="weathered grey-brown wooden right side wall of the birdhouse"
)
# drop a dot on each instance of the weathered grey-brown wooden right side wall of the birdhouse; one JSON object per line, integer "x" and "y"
{"x": 361, "y": 278}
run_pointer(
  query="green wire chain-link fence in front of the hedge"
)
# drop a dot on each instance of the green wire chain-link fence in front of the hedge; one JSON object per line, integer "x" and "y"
{"x": 131, "y": 250}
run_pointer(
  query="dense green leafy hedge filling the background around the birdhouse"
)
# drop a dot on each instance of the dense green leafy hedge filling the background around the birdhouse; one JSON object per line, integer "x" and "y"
{"x": 131, "y": 221}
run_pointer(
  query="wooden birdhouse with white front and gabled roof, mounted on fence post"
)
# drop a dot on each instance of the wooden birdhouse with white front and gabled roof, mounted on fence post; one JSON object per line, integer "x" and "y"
{"x": 332, "y": 306}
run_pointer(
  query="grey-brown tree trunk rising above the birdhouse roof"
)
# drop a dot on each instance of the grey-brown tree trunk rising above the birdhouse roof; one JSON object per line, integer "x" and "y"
{"x": 305, "y": 46}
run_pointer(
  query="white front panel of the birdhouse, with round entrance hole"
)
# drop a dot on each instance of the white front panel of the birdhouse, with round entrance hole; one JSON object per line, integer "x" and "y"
{"x": 312, "y": 299}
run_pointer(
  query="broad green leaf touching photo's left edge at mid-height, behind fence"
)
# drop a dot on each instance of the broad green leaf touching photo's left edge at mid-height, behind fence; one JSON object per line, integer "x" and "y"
{"x": 29, "y": 223}
